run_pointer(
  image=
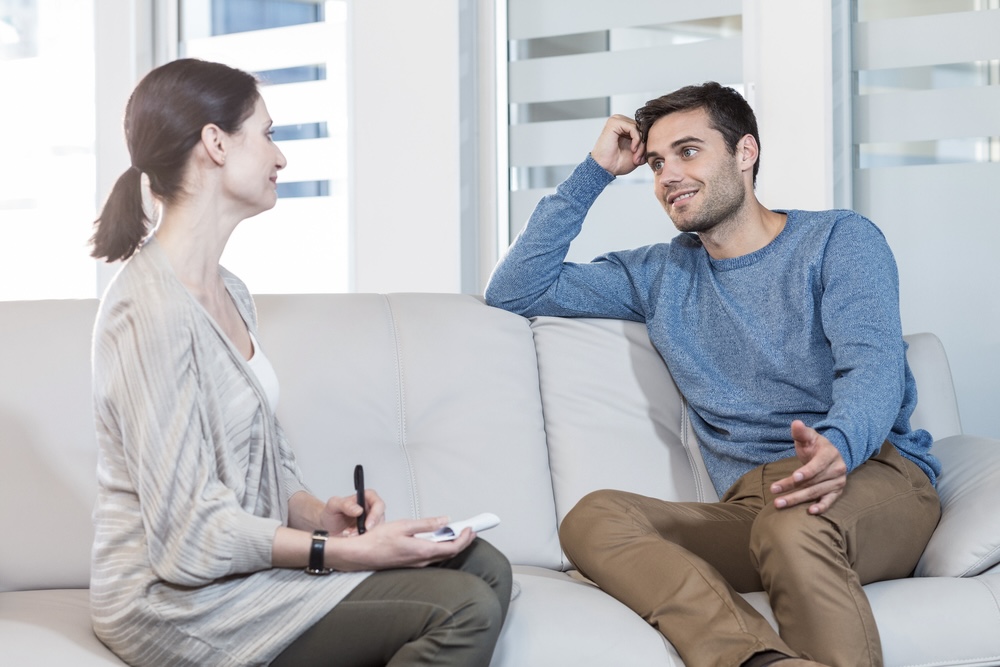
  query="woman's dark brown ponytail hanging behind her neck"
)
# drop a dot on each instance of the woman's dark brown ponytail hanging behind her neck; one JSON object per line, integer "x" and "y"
{"x": 122, "y": 224}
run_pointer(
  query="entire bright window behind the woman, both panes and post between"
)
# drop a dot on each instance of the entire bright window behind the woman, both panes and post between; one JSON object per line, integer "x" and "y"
{"x": 67, "y": 147}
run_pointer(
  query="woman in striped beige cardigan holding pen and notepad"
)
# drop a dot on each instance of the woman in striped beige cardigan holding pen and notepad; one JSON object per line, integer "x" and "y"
{"x": 204, "y": 528}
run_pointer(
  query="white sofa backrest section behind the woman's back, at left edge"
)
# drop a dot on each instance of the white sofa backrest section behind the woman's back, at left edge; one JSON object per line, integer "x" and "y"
{"x": 48, "y": 451}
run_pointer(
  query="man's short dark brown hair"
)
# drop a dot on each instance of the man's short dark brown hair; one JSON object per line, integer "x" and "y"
{"x": 727, "y": 112}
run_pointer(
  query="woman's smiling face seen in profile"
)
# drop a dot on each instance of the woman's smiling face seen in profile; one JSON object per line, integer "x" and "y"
{"x": 253, "y": 162}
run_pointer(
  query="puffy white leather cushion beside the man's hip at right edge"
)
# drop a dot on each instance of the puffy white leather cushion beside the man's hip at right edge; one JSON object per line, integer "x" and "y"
{"x": 967, "y": 540}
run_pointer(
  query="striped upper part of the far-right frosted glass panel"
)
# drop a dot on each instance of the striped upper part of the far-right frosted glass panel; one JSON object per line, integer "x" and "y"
{"x": 928, "y": 83}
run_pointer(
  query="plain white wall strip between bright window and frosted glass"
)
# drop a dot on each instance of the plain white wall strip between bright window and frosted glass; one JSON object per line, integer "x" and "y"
{"x": 405, "y": 156}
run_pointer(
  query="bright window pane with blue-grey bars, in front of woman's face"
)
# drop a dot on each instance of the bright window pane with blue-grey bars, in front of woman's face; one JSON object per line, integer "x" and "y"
{"x": 298, "y": 51}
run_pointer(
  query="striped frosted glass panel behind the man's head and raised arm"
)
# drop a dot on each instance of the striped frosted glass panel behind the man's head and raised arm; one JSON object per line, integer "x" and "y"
{"x": 572, "y": 64}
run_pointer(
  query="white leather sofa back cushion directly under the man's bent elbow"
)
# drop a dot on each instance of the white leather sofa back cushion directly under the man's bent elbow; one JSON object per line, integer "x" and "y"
{"x": 613, "y": 415}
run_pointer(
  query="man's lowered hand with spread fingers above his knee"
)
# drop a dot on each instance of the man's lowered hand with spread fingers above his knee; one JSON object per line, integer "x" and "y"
{"x": 821, "y": 478}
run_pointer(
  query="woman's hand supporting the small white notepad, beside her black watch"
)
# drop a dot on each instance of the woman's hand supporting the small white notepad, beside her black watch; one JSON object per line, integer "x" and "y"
{"x": 393, "y": 545}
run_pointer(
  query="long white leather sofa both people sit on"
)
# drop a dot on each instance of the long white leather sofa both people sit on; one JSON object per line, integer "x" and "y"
{"x": 458, "y": 408}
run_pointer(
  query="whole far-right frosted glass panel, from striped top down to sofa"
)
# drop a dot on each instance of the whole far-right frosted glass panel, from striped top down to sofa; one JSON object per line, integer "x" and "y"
{"x": 926, "y": 128}
